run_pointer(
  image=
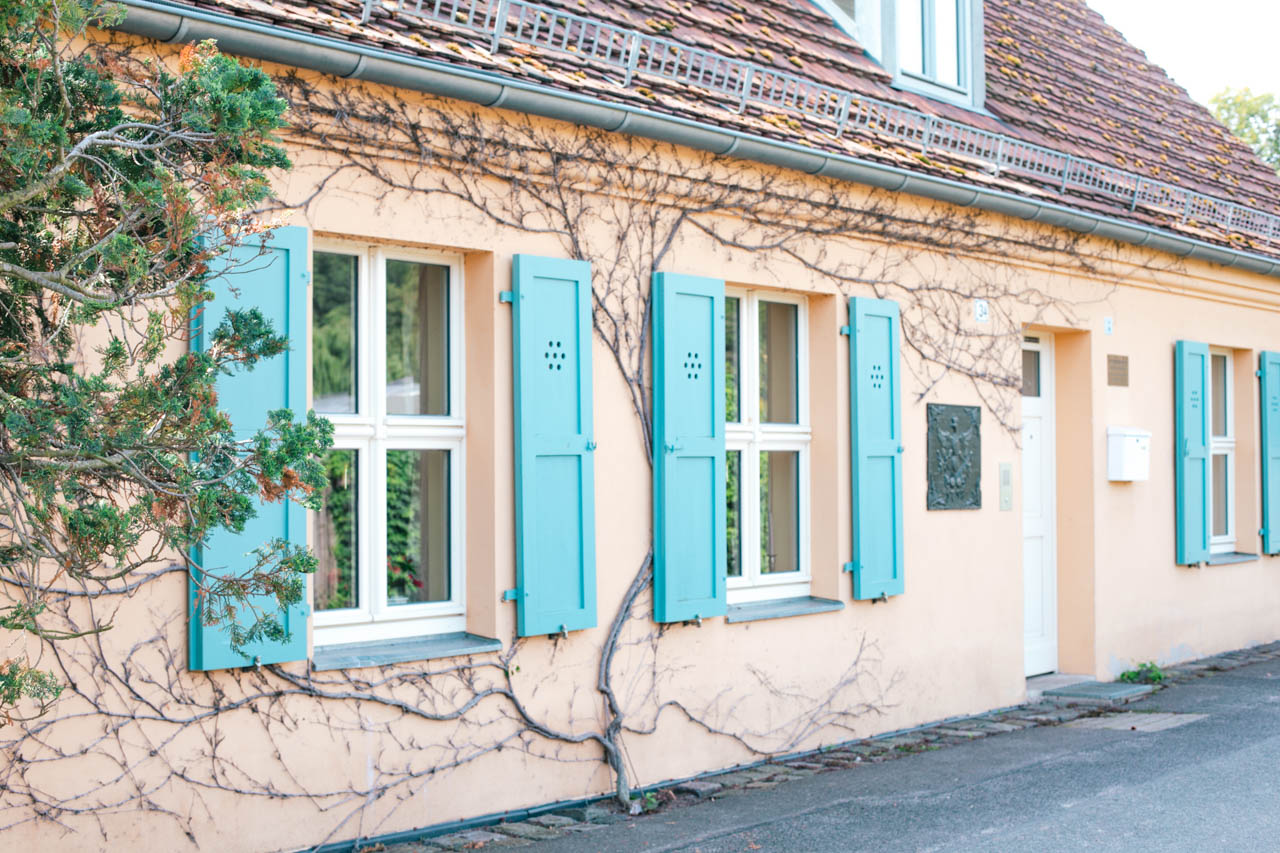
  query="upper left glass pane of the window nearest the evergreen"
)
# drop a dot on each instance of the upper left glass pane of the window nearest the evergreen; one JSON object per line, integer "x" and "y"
{"x": 333, "y": 335}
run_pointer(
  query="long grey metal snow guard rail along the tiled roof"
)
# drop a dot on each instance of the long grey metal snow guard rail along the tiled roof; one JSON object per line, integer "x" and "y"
{"x": 637, "y": 53}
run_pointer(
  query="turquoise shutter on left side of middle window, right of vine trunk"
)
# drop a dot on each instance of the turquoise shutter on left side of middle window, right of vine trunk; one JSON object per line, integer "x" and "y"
{"x": 689, "y": 448}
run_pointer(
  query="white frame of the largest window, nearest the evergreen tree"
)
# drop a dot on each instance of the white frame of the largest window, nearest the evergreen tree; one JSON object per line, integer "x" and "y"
{"x": 372, "y": 432}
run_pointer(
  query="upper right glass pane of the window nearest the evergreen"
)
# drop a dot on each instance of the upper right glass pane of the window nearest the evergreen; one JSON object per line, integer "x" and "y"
{"x": 418, "y": 339}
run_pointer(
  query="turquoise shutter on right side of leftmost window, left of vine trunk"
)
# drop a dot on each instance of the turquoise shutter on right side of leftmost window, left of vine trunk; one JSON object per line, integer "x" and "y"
{"x": 555, "y": 471}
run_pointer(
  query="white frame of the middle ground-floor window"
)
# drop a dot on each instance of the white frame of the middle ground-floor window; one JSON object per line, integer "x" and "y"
{"x": 752, "y": 437}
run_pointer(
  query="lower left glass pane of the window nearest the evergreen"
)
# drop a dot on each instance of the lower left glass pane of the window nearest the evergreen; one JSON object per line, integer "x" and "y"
{"x": 336, "y": 540}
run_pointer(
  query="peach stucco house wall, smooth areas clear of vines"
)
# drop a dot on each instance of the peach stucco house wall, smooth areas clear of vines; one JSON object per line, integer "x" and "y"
{"x": 952, "y": 645}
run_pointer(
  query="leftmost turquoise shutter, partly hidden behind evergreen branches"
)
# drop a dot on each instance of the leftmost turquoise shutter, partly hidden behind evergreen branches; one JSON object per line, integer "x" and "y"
{"x": 276, "y": 282}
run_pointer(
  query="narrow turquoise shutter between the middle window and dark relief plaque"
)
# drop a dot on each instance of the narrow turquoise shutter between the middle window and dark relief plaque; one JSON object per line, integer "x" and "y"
{"x": 876, "y": 431}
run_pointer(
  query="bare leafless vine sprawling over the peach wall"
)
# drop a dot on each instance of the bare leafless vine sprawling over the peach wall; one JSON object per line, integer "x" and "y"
{"x": 175, "y": 741}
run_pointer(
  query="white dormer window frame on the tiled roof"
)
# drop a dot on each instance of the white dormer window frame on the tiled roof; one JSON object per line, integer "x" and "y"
{"x": 877, "y": 26}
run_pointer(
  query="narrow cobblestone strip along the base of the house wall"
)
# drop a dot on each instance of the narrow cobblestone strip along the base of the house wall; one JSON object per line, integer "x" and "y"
{"x": 568, "y": 823}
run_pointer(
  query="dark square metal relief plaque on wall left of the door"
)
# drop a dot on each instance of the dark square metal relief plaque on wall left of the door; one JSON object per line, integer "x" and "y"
{"x": 956, "y": 458}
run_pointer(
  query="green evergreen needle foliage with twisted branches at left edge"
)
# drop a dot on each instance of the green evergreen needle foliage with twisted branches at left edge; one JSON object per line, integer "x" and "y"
{"x": 120, "y": 181}
